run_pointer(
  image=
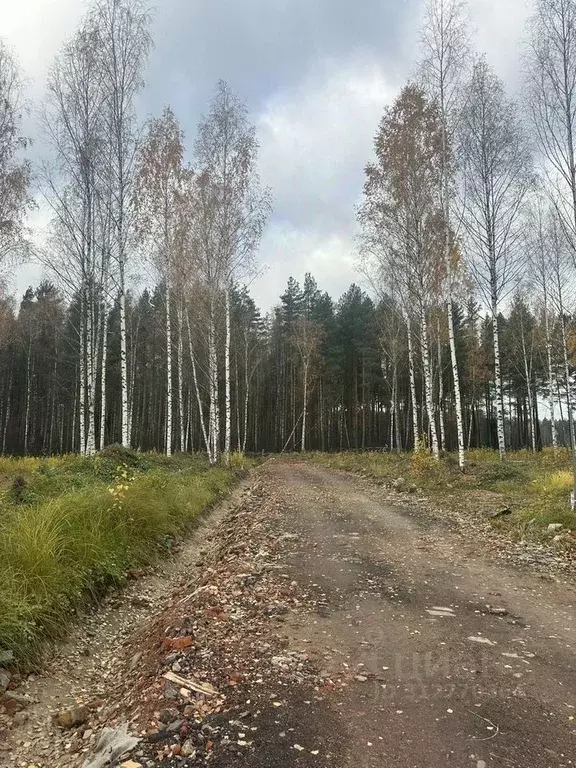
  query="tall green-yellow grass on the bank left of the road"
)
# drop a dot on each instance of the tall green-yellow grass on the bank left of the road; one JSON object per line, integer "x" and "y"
{"x": 71, "y": 528}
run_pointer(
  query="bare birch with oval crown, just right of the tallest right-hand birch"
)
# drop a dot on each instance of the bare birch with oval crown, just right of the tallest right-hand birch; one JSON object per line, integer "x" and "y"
{"x": 496, "y": 176}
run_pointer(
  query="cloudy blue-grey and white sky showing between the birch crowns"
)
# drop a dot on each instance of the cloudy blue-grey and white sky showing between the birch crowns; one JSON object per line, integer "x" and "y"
{"x": 316, "y": 75}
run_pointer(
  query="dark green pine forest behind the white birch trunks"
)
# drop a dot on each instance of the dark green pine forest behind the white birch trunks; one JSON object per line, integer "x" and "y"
{"x": 314, "y": 374}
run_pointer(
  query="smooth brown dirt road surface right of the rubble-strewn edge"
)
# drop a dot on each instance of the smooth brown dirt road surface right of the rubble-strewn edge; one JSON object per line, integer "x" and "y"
{"x": 454, "y": 661}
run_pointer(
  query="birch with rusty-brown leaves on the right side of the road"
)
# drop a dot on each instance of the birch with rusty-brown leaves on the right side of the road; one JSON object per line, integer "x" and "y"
{"x": 402, "y": 218}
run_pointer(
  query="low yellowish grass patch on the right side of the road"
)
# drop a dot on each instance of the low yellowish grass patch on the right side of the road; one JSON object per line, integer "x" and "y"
{"x": 536, "y": 487}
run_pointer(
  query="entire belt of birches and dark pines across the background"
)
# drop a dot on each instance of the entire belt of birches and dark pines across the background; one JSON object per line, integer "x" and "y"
{"x": 467, "y": 231}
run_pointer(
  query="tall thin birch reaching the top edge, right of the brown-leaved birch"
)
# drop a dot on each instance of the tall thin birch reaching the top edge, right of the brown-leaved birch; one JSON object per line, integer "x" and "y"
{"x": 446, "y": 54}
